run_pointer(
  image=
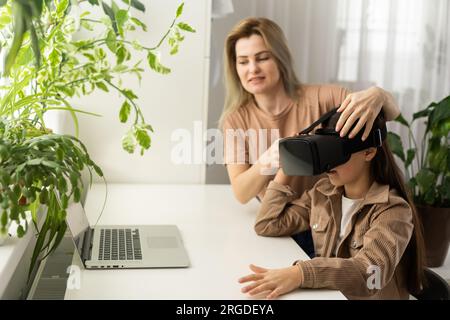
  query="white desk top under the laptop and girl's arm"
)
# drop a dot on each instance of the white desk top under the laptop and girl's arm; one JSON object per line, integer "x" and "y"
{"x": 217, "y": 232}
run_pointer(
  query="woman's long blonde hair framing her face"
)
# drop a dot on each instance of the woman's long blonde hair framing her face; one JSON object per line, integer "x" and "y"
{"x": 236, "y": 96}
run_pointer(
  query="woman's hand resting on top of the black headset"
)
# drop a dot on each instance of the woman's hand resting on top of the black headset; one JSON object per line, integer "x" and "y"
{"x": 362, "y": 106}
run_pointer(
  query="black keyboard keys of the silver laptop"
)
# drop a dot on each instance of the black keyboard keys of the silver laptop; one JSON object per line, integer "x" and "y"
{"x": 120, "y": 244}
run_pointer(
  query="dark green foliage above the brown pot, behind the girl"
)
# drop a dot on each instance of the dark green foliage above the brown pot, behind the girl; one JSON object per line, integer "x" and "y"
{"x": 428, "y": 167}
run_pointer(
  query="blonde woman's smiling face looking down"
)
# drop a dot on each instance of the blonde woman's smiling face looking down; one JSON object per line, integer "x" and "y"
{"x": 256, "y": 66}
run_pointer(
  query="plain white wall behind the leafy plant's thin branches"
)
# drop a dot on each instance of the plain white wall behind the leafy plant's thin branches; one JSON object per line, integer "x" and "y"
{"x": 168, "y": 102}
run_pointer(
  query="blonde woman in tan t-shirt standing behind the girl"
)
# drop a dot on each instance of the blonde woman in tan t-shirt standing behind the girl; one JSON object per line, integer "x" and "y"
{"x": 265, "y": 101}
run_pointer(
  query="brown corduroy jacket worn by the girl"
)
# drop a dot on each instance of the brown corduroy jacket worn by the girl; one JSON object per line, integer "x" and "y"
{"x": 370, "y": 262}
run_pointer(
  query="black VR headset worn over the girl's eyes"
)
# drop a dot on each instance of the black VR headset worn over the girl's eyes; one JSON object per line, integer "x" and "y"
{"x": 313, "y": 154}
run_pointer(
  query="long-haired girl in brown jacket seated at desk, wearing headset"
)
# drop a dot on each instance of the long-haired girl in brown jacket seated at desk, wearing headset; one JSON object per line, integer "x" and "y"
{"x": 366, "y": 232}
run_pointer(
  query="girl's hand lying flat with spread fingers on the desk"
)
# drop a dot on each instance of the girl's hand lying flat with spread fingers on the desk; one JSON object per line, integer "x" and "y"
{"x": 276, "y": 281}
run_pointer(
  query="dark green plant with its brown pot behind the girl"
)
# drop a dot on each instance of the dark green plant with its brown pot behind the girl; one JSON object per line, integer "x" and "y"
{"x": 427, "y": 168}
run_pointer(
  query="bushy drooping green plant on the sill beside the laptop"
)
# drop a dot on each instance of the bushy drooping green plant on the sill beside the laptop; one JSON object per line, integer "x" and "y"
{"x": 40, "y": 168}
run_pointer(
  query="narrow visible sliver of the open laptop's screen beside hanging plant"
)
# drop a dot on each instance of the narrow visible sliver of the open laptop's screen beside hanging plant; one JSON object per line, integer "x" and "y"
{"x": 78, "y": 224}
